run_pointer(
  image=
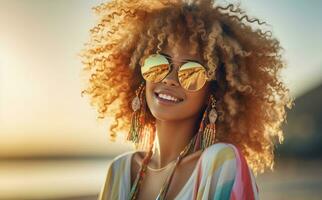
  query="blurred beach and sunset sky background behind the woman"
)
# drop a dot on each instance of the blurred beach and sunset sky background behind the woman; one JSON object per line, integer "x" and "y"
{"x": 53, "y": 147}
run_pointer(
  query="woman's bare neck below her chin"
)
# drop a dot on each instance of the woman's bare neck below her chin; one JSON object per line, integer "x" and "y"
{"x": 171, "y": 138}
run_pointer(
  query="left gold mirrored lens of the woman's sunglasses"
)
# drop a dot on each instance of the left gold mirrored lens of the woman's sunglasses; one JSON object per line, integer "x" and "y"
{"x": 155, "y": 68}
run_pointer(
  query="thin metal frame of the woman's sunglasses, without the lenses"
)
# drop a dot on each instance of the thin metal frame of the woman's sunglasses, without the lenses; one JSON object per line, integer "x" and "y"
{"x": 208, "y": 73}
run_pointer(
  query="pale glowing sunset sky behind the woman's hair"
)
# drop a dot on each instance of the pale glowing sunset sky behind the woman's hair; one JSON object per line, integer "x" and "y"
{"x": 41, "y": 110}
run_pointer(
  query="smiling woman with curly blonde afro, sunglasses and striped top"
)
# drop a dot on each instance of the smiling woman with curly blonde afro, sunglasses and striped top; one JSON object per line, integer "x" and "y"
{"x": 197, "y": 86}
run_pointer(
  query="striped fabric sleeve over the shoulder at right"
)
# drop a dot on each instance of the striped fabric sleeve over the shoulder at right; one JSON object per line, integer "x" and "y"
{"x": 228, "y": 175}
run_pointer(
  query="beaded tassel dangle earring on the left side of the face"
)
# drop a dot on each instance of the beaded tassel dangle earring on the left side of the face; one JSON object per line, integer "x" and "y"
{"x": 137, "y": 121}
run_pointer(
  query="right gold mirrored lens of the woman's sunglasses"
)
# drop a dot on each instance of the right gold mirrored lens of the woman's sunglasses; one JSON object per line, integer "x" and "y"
{"x": 192, "y": 76}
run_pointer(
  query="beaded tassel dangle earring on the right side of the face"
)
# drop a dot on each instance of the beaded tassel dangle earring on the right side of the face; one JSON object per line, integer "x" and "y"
{"x": 207, "y": 130}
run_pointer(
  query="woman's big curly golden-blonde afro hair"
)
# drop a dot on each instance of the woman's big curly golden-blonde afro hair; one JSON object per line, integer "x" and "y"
{"x": 251, "y": 98}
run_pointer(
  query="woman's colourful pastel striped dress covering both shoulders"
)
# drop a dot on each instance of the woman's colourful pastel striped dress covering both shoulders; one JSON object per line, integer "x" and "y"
{"x": 221, "y": 173}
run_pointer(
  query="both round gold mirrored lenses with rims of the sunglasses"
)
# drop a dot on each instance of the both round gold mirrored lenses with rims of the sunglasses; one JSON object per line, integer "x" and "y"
{"x": 191, "y": 75}
